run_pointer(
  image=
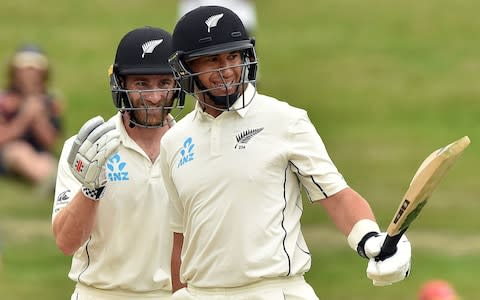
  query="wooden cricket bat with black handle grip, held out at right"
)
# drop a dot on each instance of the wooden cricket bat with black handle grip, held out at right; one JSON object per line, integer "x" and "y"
{"x": 423, "y": 183}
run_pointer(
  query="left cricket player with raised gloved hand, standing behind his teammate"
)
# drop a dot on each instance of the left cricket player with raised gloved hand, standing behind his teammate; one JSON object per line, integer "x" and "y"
{"x": 110, "y": 209}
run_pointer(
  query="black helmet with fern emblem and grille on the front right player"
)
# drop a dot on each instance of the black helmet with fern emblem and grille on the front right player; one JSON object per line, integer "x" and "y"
{"x": 207, "y": 31}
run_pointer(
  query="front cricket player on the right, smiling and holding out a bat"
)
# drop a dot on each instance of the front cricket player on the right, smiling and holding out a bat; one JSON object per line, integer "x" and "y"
{"x": 234, "y": 168}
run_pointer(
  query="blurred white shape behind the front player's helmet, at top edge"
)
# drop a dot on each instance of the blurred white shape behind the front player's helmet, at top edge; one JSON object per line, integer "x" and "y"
{"x": 245, "y": 9}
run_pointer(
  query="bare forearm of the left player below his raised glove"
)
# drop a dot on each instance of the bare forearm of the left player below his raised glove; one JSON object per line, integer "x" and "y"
{"x": 73, "y": 225}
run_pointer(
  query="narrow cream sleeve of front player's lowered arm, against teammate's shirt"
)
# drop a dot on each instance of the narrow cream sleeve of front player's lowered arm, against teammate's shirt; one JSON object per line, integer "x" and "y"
{"x": 175, "y": 207}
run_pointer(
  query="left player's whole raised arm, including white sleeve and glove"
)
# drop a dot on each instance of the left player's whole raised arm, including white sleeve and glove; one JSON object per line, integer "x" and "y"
{"x": 85, "y": 165}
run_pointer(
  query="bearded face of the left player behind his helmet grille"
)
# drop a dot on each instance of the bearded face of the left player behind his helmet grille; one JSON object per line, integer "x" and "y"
{"x": 151, "y": 97}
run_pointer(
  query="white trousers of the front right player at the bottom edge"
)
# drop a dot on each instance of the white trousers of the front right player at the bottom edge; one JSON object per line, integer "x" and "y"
{"x": 286, "y": 288}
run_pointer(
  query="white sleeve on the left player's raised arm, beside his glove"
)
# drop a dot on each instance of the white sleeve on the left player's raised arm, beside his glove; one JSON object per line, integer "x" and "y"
{"x": 66, "y": 185}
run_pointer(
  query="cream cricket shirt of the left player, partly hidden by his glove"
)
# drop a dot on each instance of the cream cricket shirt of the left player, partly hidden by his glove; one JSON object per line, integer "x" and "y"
{"x": 131, "y": 243}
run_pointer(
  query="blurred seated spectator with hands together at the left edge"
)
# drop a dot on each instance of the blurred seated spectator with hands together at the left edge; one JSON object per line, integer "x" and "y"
{"x": 29, "y": 118}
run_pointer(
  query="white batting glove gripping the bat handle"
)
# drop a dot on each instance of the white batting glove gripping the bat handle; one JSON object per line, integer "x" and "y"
{"x": 391, "y": 270}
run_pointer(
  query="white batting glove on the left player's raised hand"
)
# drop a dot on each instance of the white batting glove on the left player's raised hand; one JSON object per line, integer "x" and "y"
{"x": 96, "y": 141}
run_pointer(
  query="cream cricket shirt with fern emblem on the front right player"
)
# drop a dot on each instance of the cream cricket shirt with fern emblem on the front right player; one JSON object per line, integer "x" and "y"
{"x": 234, "y": 185}
